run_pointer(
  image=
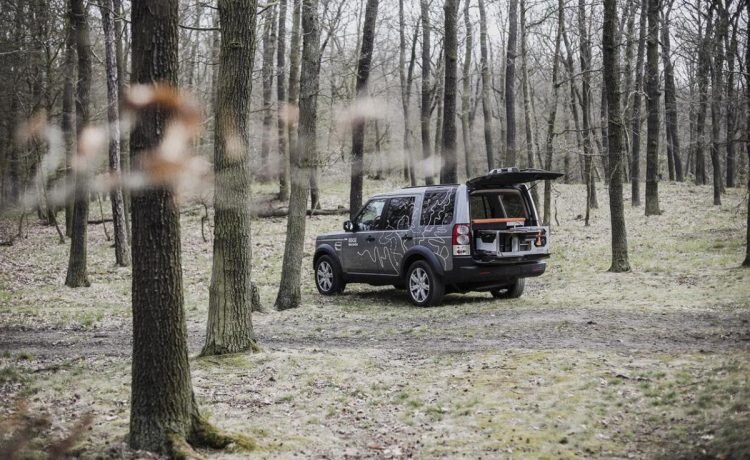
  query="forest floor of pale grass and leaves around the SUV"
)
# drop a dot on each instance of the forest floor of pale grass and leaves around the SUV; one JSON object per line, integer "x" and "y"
{"x": 651, "y": 363}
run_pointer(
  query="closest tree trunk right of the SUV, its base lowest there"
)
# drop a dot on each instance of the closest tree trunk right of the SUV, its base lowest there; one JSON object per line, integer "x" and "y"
{"x": 614, "y": 130}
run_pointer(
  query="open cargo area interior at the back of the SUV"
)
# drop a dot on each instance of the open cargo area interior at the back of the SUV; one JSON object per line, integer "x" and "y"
{"x": 503, "y": 225}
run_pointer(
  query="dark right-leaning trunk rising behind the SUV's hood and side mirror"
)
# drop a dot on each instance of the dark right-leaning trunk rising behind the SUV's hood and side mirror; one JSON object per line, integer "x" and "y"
{"x": 358, "y": 125}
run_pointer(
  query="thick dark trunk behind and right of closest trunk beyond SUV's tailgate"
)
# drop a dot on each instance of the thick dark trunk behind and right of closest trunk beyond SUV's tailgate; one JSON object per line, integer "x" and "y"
{"x": 652, "y": 104}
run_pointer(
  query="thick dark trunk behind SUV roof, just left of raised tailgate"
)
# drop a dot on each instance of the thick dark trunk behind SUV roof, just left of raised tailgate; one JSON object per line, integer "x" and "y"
{"x": 449, "y": 169}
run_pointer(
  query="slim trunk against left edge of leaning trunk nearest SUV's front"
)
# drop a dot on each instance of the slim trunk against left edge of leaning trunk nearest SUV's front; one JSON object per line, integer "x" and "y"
{"x": 292, "y": 101}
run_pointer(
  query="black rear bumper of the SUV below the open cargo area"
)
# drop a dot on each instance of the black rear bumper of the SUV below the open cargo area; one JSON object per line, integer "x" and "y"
{"x": 468, "y": 273}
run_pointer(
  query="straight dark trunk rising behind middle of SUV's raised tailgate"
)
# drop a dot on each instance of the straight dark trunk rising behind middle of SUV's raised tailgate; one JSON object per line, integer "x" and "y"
{"x": 510, "y": 82}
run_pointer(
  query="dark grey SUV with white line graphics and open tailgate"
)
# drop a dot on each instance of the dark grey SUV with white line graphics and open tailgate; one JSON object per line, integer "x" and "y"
{"x": 484, "y": 235}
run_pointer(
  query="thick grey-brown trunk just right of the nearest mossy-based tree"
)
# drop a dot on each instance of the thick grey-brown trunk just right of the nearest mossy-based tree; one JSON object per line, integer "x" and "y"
{"x": 230, "y": 328}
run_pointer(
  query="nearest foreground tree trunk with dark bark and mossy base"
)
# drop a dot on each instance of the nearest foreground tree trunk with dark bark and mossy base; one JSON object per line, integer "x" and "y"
{"x": 164, "y": 416}
